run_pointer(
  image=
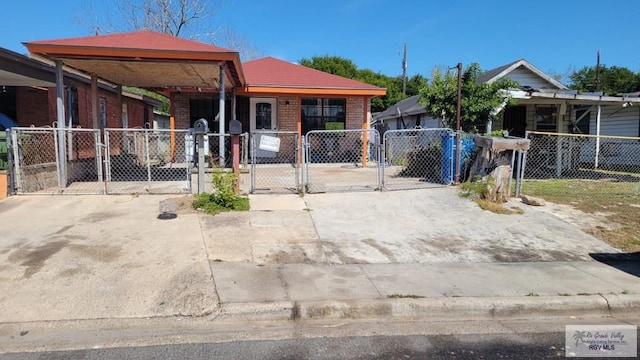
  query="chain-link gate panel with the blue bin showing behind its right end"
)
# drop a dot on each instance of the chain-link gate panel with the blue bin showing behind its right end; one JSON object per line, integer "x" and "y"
{"x": 418, "y": 158}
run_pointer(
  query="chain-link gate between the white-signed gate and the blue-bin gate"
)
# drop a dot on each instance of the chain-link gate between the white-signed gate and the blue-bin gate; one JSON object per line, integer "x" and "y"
{"x": 342, "y": 160}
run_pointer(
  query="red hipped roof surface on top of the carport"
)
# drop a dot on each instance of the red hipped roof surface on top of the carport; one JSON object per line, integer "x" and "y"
{"x": 143, "y": 40}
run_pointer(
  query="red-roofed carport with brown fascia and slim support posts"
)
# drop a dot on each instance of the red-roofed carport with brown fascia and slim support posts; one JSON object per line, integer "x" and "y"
{"x": 143, "y": 59}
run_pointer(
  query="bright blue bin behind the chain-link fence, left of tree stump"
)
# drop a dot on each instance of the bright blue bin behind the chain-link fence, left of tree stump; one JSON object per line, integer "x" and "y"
{"x": 467, "y": 148}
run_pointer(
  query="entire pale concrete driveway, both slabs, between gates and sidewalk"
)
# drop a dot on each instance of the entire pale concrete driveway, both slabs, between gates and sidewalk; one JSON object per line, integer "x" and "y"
{"x": 91, "y": 257}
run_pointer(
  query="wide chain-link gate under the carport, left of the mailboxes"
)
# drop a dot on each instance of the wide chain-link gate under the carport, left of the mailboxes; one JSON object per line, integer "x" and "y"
{"x": 148, "y": 161}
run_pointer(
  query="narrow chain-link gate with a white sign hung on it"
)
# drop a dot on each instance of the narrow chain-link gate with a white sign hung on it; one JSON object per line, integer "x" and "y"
{"x": 275, "y": 161}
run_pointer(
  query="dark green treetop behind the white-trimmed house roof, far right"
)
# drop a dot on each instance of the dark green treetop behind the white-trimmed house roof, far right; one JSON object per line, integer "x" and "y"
{"x": 613, "y": 80}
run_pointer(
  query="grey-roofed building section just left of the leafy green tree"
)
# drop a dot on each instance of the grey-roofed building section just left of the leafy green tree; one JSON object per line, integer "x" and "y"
{"x": 406, "y": 114}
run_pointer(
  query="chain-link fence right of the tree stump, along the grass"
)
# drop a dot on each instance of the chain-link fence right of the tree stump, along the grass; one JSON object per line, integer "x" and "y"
{"x": 610, "y": 163}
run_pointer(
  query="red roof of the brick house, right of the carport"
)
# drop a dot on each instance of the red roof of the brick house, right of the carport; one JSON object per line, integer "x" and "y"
{"x": 272, "y": 72}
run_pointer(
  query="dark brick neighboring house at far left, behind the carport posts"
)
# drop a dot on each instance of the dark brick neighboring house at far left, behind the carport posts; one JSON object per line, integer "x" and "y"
{"x": 28, "y": 96}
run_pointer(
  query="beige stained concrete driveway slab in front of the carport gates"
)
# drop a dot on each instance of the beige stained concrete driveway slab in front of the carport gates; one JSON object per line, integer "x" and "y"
{"x": 89, "y": 257}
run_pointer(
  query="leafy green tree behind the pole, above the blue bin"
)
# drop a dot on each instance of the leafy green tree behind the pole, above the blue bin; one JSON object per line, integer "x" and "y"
{"x": 480, "y": 101}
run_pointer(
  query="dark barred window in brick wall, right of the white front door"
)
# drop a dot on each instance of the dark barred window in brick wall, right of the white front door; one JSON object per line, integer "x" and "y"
{"x": 323, "y": 114}
